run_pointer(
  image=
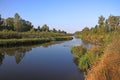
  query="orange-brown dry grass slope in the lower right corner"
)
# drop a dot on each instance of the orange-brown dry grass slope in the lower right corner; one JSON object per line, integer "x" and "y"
{"x": 108, "y": 67}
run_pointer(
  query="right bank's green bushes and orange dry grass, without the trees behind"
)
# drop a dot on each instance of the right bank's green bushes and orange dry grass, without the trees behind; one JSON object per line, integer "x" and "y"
{"x": 101, "y": 61}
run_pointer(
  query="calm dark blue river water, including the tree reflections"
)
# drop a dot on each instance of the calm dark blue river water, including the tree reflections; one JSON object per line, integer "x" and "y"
{"x": 50, "y": 61}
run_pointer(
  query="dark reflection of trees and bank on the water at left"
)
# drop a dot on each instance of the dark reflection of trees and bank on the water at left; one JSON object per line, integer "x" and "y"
{"x": 19, "y": 52}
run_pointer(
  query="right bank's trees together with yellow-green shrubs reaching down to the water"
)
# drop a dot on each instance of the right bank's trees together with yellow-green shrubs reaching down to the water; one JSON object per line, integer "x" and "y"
{"x": 104, "y": 26}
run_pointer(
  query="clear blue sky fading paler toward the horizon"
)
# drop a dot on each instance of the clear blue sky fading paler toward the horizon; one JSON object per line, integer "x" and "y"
{"x": 68, "y": 15}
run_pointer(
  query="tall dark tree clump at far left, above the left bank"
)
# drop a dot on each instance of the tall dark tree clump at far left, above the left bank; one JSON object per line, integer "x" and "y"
{"x": 15, "y": 24}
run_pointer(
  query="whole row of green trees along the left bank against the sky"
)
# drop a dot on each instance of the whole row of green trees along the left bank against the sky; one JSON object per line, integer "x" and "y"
{"x": 18, "y": 24}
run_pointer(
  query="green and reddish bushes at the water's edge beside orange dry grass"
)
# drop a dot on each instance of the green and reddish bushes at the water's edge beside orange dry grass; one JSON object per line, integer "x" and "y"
{"x": 86, "y": 57}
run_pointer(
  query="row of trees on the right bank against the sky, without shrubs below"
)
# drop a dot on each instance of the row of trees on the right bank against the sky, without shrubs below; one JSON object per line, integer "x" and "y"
{"x": 112, "y": 24}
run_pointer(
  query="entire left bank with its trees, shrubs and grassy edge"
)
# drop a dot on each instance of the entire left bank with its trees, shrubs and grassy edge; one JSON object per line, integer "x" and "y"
{"x": 17, "y": 31}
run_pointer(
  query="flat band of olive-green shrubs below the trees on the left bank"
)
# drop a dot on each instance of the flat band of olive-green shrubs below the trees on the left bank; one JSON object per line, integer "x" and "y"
{"x": 18, "y": 35}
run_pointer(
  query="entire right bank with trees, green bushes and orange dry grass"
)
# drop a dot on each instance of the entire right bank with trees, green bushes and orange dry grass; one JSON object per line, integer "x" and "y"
{"x": 102, "y": 61}
